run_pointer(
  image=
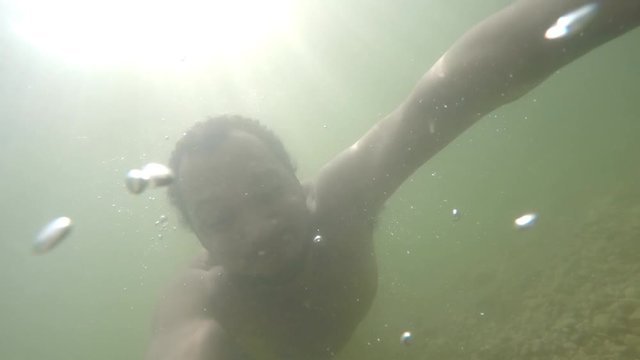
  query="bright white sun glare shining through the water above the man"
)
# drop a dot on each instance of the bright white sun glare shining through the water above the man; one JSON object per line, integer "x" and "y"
{"x": 152, "y": 34}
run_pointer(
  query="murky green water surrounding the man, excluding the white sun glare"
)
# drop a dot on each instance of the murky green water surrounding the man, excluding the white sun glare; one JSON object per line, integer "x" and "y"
{"x": 467, "y": 288}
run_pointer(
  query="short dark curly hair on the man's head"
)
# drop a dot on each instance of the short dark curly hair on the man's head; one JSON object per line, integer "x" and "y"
{"x": 207, "y": 135}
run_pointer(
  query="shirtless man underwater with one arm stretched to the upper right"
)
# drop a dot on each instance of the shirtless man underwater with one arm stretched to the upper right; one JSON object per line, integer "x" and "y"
{"x": 289, "y": 269}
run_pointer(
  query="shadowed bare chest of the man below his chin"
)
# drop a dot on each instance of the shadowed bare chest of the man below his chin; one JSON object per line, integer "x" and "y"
{"x": 315, "y": 315}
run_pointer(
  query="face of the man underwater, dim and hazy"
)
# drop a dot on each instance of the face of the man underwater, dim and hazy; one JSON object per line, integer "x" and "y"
{"x": 246, "y": 207}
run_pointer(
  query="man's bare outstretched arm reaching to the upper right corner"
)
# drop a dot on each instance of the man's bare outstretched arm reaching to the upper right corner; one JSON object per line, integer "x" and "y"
{"x": 492, "y": 64}
